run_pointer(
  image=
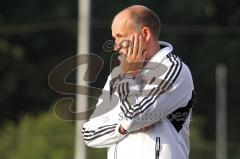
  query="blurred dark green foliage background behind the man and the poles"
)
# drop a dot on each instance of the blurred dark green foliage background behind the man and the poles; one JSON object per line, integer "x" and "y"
{"x": 37, "y": 35}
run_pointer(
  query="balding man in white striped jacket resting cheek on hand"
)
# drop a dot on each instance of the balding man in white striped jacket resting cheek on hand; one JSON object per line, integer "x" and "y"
{"x": 154, "y": 91}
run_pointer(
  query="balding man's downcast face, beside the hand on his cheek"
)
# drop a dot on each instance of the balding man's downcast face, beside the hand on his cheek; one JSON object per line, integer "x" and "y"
{"x": 122, "y": 29}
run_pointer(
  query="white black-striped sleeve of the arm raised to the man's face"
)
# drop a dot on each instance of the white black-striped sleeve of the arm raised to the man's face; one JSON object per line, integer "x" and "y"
{"x": 162, "y": 94}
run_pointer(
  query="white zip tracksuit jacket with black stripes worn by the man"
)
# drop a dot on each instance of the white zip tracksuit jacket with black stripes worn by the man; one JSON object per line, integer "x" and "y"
{"x": 161, "y": 96}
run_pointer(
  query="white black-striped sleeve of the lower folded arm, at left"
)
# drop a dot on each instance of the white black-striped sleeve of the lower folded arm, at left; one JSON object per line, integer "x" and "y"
{"x": 101, "y": 130}
